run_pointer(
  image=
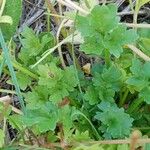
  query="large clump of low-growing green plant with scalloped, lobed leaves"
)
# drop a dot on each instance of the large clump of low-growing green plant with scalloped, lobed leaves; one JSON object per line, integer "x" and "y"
{"x": 68, "y": 105}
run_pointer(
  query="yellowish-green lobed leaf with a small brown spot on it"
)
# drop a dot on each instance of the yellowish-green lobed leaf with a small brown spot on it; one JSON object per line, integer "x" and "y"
{"x": 57, "y": 81}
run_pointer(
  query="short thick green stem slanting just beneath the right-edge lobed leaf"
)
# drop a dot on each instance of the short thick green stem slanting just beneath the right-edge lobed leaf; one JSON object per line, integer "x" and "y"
{"x": 134, "y": 106}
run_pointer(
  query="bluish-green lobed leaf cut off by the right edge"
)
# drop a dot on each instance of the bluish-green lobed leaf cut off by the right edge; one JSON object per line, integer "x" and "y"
{"x": 140, "y": 79}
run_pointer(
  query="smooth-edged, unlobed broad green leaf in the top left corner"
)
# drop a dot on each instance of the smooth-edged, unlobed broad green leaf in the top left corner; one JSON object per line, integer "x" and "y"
{"x": 13, "y": 8}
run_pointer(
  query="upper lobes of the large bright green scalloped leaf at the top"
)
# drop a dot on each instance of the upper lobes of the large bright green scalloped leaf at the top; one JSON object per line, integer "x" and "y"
{"x": 102, "y": 19}
